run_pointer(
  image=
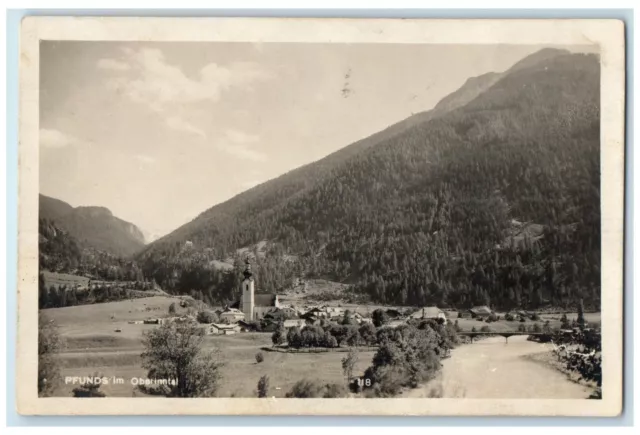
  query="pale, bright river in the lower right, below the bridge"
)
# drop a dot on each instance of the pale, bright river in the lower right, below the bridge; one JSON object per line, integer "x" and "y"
{"x": 492, "y": 369}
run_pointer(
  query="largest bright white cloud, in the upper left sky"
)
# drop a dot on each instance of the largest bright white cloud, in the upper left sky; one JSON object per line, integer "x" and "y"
{"x": 163, "y": 87}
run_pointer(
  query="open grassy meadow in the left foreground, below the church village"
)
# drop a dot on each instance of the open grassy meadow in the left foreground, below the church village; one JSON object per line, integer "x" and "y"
{"x": 93, "y": 346}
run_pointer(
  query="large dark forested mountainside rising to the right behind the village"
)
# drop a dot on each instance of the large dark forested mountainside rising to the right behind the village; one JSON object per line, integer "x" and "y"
{"x": 489, "y": 199}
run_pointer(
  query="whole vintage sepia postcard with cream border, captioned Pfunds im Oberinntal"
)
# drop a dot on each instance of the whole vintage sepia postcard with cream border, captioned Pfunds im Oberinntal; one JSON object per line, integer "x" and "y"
{"x": 247, "y": 216}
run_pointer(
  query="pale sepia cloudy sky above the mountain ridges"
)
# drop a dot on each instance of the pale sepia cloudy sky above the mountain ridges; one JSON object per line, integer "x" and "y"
{"x": 160, "y": 132}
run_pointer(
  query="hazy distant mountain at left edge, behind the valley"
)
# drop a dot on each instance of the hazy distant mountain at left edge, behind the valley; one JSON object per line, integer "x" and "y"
{"x": 93, "y": 227}
